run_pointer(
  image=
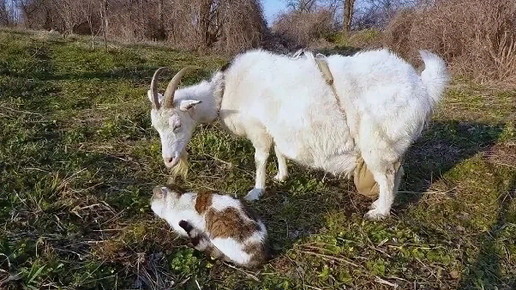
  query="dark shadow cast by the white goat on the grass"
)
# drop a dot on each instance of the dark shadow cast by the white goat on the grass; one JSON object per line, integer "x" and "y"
{"x": 300, "y": 206}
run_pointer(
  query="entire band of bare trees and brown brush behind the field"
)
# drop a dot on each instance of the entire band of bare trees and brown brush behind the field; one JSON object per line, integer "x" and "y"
{"x": 477, "y": 37}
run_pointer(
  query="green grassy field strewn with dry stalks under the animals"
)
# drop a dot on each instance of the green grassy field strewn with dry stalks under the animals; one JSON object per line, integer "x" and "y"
{"x": 79, "y": 159}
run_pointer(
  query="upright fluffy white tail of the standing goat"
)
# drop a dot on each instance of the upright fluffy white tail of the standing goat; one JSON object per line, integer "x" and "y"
{"x": 435, "y": 76}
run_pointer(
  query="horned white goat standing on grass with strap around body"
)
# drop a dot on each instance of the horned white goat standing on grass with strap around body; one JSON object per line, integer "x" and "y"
{"x": 277, "y": 99}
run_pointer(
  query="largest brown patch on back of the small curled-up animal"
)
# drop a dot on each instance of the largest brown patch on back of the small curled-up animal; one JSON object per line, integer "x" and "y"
{"x": 229, "y": 224}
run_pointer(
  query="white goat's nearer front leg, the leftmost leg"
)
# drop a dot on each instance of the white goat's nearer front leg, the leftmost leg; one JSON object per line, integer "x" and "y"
{"x": 262, "y": 145}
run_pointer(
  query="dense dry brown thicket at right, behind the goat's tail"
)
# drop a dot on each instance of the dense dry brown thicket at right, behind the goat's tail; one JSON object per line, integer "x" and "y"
{"x": 477, "y": 37}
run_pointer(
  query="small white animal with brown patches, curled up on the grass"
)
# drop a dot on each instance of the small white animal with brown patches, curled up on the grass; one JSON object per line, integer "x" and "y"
{"x": 219, "y": 225}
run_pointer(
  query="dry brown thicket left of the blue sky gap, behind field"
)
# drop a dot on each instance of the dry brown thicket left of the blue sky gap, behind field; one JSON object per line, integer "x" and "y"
{"x": 205, "y": 25}
